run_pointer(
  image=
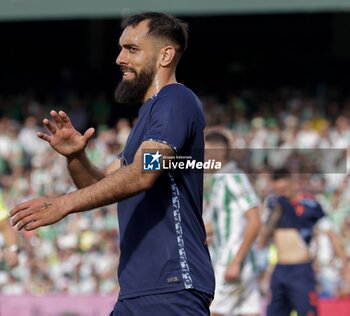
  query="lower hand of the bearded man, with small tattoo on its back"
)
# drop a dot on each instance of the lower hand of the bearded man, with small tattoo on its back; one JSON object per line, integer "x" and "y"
{"x": 37, "y": 212}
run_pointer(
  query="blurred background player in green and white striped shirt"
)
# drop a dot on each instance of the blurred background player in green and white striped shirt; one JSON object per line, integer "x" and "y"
{"x": 234, "y": 222}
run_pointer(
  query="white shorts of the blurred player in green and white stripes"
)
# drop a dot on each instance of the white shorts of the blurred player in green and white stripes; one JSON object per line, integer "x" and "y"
{"x": 236, "y": 298}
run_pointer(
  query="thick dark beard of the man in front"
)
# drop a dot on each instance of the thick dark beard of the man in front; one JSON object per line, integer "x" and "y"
{"x": 133, "y": 91}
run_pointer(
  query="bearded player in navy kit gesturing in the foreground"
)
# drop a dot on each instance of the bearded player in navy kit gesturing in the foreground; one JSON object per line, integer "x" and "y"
{"x": 165, "y": 267}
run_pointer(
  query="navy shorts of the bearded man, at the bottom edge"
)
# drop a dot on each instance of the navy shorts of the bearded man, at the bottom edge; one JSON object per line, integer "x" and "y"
{"x": 186, "y": 302}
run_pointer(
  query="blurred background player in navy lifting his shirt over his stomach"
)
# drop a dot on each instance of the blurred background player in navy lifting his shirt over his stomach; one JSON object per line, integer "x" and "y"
{"x": 293, "y": 216}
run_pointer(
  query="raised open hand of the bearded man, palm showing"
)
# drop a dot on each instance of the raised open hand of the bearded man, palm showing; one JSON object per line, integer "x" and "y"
{"x": 63, "y": 137}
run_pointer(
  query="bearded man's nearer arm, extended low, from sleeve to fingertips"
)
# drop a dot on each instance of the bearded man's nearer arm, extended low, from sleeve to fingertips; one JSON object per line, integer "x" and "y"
{"x": 123, "y": 183}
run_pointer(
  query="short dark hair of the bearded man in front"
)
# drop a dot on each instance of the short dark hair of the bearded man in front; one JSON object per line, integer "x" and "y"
{"x": 162, "y": 25}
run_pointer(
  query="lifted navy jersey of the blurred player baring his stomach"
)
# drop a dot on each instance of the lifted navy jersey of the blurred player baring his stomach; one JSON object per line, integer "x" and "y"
{"x": 301, "y": 213}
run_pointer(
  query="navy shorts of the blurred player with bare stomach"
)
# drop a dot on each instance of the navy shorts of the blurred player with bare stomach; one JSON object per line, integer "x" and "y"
{"x": 292, "y": 288}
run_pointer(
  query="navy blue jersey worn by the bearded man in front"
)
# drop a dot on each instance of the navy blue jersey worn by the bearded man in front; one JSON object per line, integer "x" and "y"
{"x": 162, "y": 235}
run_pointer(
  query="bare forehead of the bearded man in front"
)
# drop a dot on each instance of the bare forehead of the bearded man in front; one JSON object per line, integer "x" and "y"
{"x": 136, "y": 35}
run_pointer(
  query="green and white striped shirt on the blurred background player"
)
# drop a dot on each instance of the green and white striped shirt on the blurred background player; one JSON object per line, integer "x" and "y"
{"x": 231, "y": 196}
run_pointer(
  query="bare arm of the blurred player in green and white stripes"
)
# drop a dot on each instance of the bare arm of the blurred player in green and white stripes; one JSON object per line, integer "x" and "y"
{"x": 250, "y": 233}
